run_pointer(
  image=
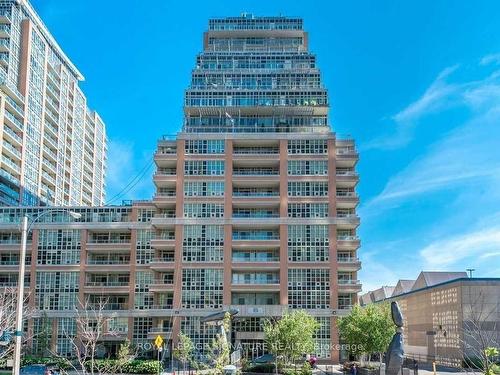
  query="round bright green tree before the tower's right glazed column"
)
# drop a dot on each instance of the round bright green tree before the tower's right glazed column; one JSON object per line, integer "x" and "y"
{"x": 290, "y": 337}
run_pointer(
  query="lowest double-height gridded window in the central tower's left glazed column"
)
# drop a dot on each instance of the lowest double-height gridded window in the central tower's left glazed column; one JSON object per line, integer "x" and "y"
{"x": 202, "y": 288}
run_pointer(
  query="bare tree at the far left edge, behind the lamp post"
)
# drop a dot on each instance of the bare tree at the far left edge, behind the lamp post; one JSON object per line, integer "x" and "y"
{"x": 8, "y": 305}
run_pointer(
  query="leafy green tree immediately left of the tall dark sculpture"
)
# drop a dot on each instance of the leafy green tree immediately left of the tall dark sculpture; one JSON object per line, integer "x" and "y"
{"x": 367, "y": 330}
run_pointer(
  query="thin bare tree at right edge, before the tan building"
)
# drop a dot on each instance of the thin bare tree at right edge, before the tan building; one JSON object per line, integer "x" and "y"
{"x": 479, "y": 331}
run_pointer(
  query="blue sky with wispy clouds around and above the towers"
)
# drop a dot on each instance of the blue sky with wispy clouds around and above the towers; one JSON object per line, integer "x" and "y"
{"x": 416, "y": 83}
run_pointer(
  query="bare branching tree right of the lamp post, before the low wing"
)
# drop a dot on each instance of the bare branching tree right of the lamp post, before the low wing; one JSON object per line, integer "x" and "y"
{"x": 93, "y": 323}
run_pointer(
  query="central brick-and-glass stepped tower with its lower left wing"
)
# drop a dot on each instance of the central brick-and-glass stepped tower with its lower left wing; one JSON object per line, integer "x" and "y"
{"x": 255, "y": 208}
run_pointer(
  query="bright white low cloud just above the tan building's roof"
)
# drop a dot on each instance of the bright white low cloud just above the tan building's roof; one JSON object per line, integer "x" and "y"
{"x": 475, "y": 245}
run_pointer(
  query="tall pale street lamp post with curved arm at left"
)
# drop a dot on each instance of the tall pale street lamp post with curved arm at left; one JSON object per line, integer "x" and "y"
{"x": 26, "y": 224}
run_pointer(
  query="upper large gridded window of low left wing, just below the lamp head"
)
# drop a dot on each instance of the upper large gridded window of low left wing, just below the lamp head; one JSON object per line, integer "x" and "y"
{"x": 59, "y": 247}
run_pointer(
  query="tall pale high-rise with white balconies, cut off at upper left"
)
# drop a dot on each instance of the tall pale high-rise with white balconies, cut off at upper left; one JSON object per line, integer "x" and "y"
{"x": 52, "y": 147}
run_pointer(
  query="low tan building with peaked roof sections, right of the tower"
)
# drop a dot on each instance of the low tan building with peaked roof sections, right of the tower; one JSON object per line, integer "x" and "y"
{"x": 445, "y": 321}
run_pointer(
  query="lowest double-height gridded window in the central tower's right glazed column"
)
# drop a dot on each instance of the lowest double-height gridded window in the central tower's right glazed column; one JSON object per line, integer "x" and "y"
{"x": 308, "y": 288}
